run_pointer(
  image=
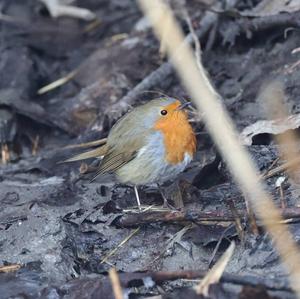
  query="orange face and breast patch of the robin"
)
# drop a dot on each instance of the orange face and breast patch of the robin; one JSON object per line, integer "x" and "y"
{"x": 179, "y": 137}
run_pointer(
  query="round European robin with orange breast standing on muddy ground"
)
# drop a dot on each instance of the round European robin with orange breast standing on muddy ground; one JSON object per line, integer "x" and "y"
{"x": 152, "y": 143}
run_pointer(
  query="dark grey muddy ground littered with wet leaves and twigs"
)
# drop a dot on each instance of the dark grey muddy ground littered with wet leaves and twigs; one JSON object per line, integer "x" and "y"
{"x": 60, "y": 234}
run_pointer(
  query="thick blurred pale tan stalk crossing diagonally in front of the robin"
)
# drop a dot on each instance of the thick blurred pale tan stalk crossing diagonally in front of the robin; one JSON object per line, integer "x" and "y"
{"x": 222, "y": 130}
